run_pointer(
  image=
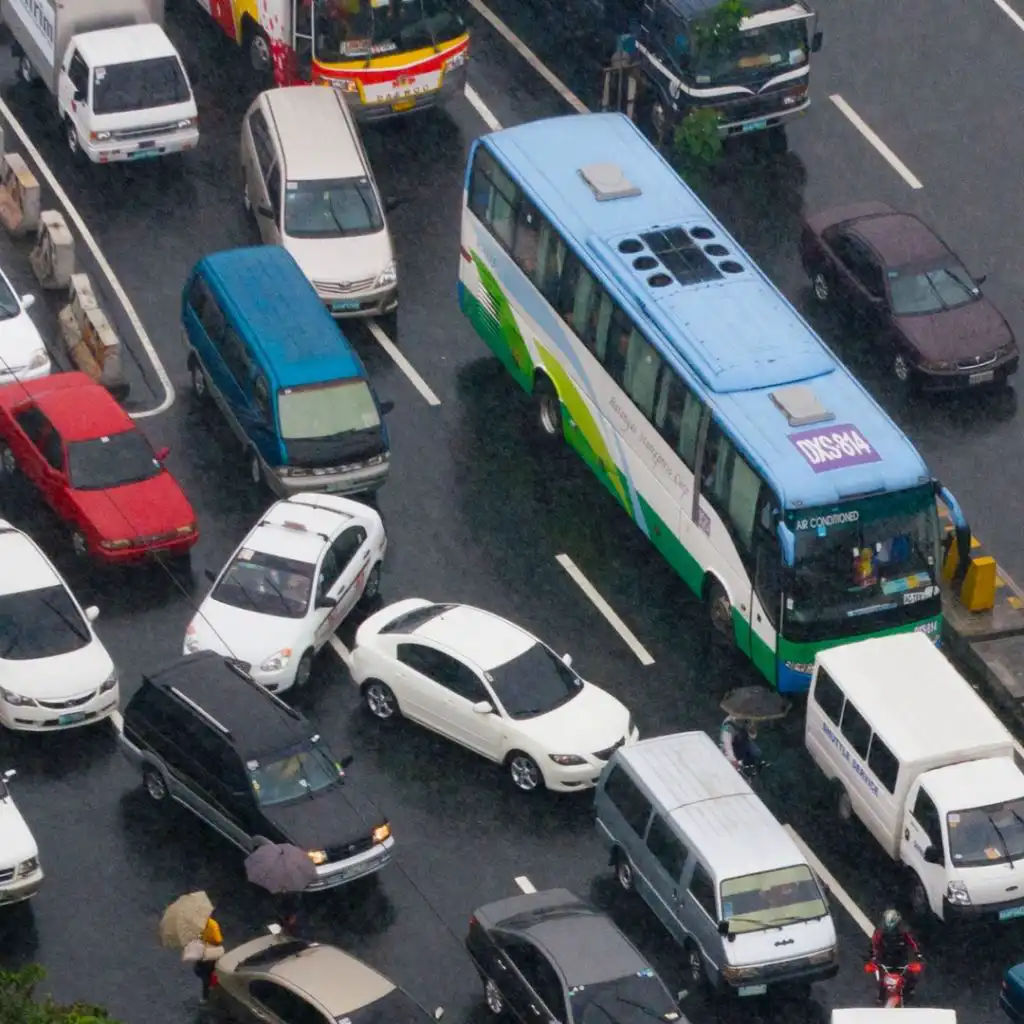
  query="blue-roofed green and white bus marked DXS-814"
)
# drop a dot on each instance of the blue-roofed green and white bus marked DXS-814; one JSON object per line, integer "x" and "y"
{"x": 729, "y": 432}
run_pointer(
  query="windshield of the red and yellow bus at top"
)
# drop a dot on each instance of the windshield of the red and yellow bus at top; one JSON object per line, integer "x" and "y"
{"x": 367, "y": 28}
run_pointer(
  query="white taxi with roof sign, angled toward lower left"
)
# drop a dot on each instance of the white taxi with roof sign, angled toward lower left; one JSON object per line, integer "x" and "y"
{"x": 304, "y": 568}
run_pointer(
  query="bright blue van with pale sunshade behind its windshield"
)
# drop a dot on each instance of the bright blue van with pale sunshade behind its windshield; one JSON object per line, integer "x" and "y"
{"x": 263, "y": 347}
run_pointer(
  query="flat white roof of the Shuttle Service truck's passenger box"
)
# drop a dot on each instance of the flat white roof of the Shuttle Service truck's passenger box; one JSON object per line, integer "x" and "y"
{"x": 928, "y": 708}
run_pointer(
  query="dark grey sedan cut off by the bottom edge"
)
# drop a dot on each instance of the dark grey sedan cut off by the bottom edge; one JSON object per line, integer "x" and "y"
{"x": 551, "y": 957}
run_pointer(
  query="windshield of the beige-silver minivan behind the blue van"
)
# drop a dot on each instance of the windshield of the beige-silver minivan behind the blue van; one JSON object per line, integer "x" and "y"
{"x": 346, "y": 208}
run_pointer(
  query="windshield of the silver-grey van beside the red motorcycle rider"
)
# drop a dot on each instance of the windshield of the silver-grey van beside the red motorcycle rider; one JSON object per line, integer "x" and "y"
{"x": 772, "y": 900}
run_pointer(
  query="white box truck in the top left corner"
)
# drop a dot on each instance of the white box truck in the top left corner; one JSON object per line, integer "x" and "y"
{"x": 121, "y": 90}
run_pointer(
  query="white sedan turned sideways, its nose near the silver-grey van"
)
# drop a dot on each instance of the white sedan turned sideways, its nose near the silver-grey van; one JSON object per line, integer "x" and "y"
{"x": 491, "y": 687}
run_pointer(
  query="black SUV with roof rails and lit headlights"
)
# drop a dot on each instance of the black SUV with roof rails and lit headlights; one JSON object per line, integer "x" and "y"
{"x": 205, "y": 735}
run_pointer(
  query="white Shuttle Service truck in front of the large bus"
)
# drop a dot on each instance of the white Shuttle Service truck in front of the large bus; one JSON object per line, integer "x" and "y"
{"x": 922, "y": 761}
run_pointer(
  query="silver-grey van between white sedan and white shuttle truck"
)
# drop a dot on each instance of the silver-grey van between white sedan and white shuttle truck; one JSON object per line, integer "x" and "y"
{"x": 689, "y": 835}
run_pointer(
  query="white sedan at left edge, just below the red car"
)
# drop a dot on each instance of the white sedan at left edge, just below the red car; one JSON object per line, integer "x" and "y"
{"x": 55, "y": 672}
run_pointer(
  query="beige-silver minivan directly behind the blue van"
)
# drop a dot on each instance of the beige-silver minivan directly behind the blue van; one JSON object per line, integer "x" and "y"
{"x": 309, "y": 185}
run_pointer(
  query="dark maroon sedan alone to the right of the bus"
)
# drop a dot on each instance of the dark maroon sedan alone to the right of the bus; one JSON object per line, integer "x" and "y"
{"x": 903, "y": 281}
